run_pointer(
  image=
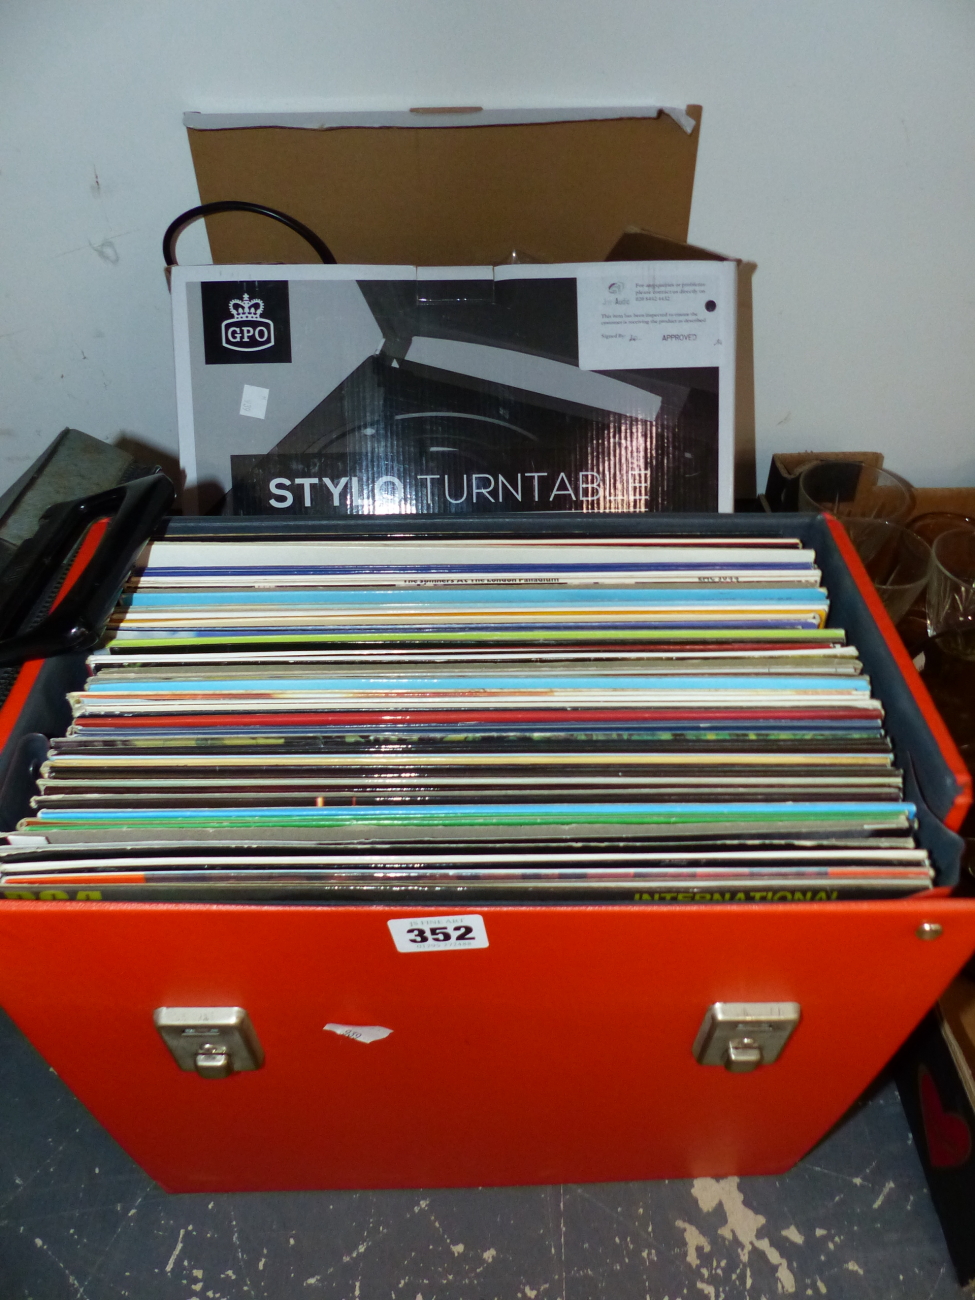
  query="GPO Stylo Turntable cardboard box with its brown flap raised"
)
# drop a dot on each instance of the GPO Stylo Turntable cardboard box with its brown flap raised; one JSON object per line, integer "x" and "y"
{"x": 517, "y": 322}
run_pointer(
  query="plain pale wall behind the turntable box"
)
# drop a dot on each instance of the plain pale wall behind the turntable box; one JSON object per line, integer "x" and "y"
{"x": 838, "y": 154}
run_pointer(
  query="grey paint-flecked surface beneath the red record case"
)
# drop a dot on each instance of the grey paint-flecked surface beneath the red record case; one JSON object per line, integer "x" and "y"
{"x": 80, "y": 1221}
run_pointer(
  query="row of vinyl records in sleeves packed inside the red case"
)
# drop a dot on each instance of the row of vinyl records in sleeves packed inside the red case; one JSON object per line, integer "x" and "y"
{"x": 643, "y": 720}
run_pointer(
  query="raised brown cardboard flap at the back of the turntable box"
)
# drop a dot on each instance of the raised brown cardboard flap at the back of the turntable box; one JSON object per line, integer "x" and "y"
{"x": 554, "y": 190}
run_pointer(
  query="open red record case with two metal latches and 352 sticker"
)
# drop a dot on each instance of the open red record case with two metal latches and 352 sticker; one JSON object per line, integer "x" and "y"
{"x": 561, "y": 1052}
